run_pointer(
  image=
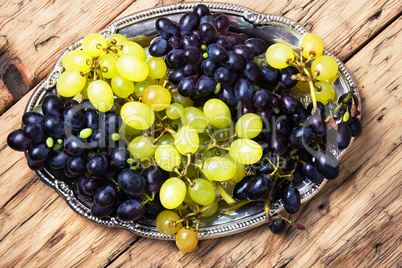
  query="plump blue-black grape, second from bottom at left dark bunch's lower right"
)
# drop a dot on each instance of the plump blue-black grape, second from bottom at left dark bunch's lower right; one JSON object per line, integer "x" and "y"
{"x": 131, "y": 182}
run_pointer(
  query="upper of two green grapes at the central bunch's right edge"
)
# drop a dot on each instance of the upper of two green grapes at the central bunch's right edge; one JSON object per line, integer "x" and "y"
{"x": 249, "y": 126}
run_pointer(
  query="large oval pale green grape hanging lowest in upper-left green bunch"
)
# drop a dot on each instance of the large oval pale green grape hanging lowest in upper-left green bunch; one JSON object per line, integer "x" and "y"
{"x": 101, "y": 95}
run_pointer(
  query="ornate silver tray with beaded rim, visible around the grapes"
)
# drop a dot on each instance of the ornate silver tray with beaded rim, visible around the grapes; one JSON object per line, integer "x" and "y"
{"x": 140, "y": 28}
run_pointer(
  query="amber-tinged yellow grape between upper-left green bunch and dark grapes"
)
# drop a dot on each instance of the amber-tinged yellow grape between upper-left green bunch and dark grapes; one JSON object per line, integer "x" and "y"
{"x": 156, "y": 97}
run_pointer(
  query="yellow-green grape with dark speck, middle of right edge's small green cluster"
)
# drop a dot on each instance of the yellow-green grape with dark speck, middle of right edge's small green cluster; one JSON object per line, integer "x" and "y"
{"x": 324, "y": 68}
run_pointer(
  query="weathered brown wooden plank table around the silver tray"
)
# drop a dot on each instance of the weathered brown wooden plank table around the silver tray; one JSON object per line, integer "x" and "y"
{"x": 354, "y": 221}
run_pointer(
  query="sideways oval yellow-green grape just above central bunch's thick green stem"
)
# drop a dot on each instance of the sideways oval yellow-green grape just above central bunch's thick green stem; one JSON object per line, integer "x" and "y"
{"x": 219, "y": 168}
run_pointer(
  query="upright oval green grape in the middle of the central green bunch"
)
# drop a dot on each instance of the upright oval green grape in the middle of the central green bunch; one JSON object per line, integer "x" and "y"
{"x": 187, "y": 140}
